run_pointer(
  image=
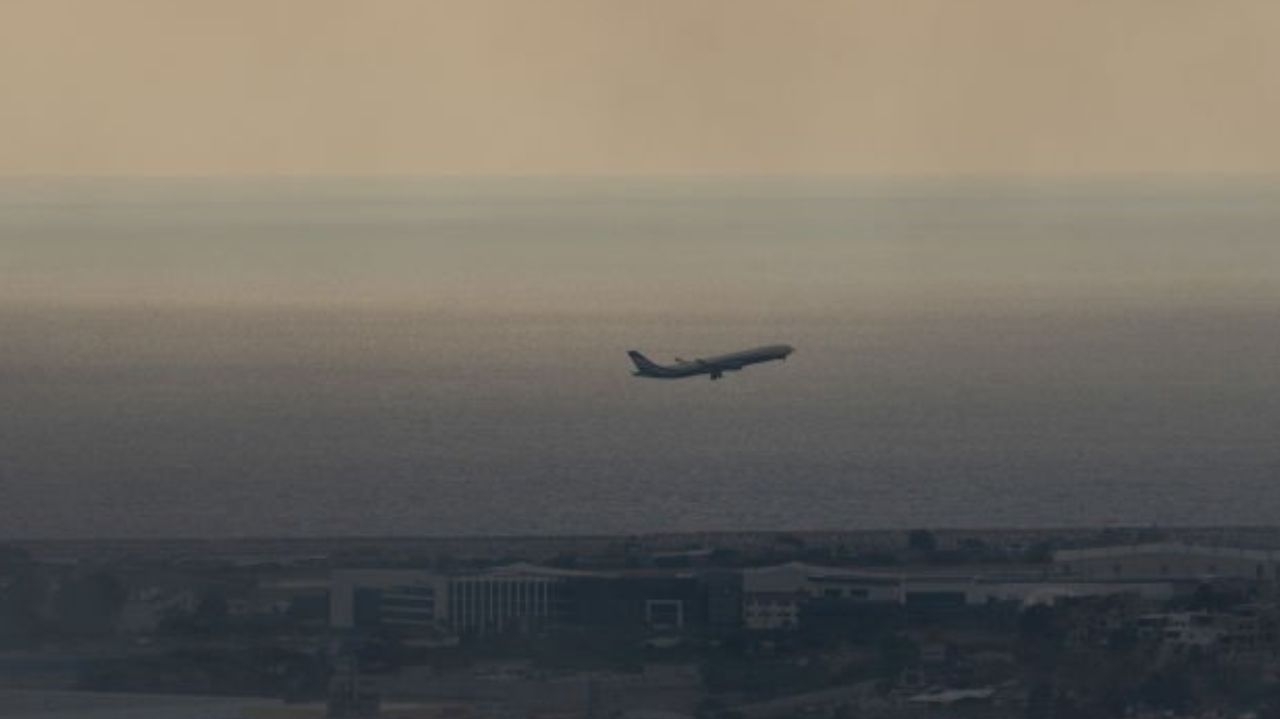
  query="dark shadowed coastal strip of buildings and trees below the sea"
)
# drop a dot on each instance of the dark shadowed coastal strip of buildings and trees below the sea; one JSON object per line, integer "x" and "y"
{"x": 1122, "y": 622}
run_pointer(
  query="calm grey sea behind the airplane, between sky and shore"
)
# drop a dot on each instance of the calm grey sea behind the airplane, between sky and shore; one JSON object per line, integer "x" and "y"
{"x": 222, "y": 359}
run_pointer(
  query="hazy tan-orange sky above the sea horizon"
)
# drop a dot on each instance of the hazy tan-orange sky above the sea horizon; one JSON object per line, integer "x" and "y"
{"x": 625, "y": 86}
